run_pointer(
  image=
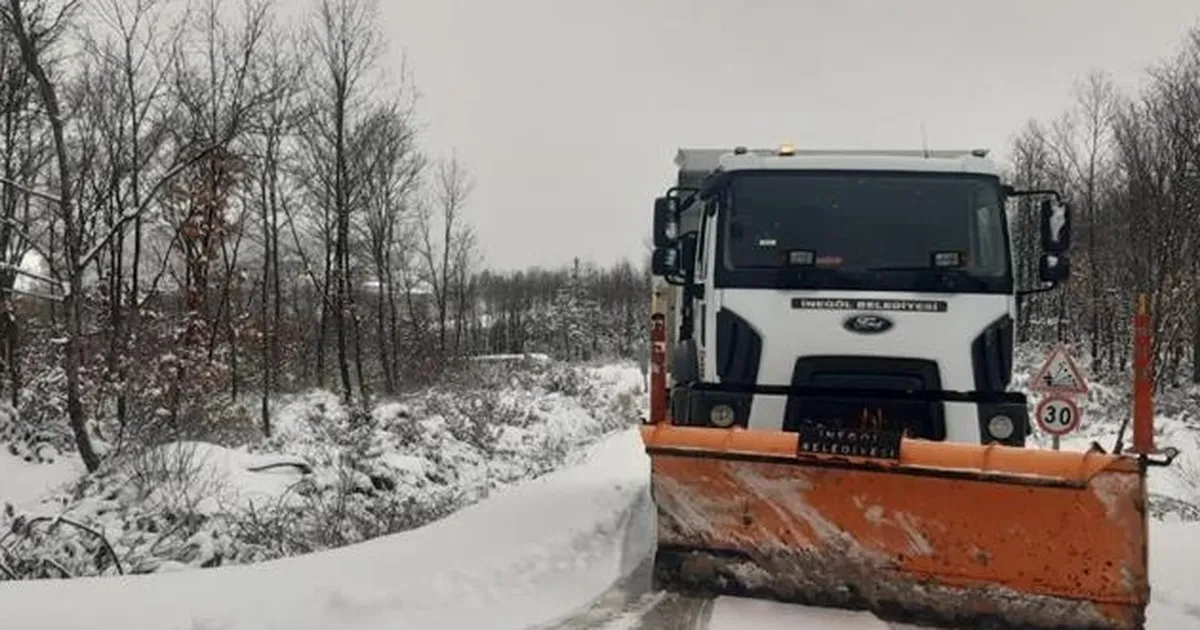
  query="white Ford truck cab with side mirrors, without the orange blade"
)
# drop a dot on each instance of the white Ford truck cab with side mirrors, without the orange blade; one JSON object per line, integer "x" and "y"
{"x": 850, "y": 290}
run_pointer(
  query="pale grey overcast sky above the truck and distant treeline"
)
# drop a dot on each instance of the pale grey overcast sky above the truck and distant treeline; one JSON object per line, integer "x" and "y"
{"x": 569, "y": 112}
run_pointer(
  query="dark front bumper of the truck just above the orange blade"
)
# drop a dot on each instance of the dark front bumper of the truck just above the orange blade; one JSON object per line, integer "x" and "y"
{"x": 1003, "y": 417}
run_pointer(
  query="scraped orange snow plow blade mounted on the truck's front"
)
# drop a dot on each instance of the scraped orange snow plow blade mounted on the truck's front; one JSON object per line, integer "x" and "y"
{"x": 955, "y": 536}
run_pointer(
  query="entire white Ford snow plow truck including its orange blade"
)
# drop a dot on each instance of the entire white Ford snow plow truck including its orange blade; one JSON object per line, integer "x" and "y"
{"x": 831, "y": 416}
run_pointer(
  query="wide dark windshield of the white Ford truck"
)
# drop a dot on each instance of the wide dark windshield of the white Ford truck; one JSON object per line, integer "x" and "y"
{"x": 866, "y": 231}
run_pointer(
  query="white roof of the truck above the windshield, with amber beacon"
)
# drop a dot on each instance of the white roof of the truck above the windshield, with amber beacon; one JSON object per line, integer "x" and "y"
{"x": 699, "y": 163}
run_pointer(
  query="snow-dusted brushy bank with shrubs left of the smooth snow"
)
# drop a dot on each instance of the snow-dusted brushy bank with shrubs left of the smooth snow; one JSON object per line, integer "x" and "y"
{"x": 328, "y": 477}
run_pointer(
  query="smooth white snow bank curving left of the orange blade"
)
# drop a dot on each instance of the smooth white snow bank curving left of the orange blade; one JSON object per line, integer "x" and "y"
{"x": 527, "y": 555}
